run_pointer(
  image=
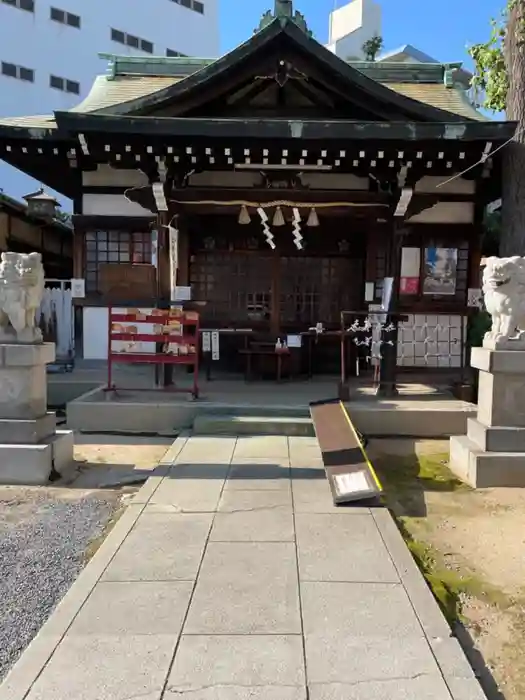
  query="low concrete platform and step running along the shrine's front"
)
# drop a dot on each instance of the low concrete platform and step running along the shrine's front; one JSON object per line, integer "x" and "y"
{"x": 418, "y": 411}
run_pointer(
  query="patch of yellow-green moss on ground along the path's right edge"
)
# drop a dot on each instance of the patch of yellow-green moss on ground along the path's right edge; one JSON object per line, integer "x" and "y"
{"x": 405, "y": 480}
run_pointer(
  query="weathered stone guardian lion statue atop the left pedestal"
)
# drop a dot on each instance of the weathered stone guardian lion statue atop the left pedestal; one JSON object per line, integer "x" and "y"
{"x": 21, "y": 292}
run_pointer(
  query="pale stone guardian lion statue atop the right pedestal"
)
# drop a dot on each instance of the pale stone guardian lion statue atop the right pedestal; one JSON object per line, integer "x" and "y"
{"x": 504, "y": 296}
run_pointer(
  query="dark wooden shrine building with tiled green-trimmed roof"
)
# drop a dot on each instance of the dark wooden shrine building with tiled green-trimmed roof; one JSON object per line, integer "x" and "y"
{"x": 284, "y": 185}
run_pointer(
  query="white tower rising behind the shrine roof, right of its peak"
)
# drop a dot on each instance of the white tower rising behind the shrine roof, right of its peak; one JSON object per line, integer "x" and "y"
{"x": 351, "y": 25}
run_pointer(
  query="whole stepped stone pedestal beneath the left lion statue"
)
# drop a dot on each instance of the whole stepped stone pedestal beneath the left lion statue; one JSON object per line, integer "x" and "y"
{"x": 31, "y": 448}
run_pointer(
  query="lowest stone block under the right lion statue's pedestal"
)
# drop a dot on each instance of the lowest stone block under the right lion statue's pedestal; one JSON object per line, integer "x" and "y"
{"x": 485, "y": 469}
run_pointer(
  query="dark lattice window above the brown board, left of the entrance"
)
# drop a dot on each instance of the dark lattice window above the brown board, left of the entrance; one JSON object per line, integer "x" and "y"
{"x": 114, "y": 247}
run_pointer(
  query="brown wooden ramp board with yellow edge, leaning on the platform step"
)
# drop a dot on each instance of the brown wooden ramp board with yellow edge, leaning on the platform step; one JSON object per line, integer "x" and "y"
{"x": 349, "y": 472}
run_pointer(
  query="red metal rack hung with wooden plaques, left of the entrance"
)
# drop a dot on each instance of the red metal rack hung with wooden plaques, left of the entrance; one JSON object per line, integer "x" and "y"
{"x": 179, "y": 347}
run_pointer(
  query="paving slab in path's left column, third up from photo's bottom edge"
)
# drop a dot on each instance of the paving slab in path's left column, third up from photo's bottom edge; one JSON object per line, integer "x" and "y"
{"x": 162, "y": 547}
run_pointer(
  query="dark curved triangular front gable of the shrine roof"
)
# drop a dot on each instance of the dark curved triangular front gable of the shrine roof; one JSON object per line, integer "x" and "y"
{"x": 282, "y": 33}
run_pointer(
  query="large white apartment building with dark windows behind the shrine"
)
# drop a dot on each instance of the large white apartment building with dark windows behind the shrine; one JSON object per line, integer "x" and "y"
{"x": 49, "y": 49}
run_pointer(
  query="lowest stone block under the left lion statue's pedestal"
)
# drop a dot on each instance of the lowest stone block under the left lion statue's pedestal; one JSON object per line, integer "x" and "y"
{"x": 31, "y": 465}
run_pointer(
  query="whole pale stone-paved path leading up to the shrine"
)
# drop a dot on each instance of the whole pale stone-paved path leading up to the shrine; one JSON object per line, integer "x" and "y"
{"x": 233, "y": 577}
